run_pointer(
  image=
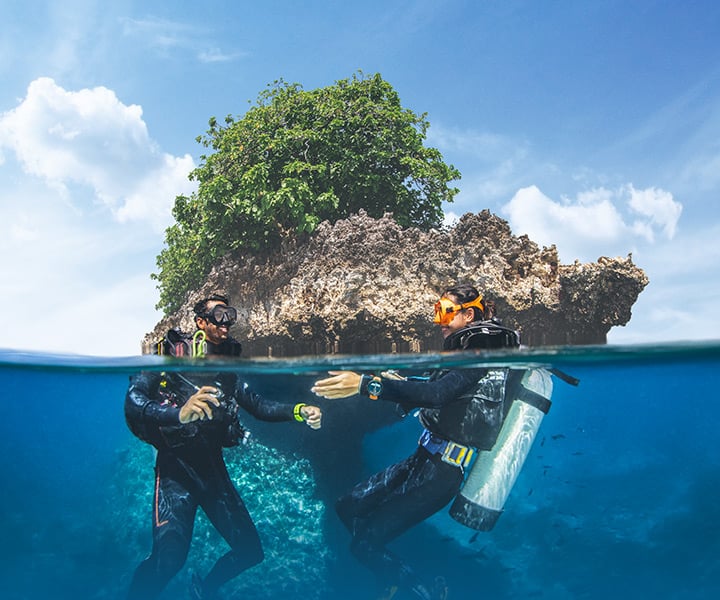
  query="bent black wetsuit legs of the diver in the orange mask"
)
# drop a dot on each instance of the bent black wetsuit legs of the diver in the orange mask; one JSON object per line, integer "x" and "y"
{"x": 426, "y": 486}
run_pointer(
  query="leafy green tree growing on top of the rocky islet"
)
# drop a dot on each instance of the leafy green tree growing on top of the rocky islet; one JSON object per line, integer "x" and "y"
{"x": 295, "y": 159}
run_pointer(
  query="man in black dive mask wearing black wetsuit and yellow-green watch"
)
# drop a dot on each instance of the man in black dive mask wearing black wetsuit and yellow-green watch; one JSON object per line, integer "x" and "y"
{"x": 189, "y": 418}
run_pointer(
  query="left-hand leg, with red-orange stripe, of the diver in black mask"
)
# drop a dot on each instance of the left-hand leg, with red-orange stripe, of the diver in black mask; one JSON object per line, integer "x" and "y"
{"x": 173, "y": 517}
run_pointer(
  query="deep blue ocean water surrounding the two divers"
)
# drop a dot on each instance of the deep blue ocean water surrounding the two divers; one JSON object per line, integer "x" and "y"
{"x": 619, "y": 496}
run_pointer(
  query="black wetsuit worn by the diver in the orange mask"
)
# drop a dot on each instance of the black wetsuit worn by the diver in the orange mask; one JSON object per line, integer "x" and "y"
{"x": 463, "y": 406}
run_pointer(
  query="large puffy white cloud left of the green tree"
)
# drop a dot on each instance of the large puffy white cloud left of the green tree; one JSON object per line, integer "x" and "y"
{"x": 90, "y": 138}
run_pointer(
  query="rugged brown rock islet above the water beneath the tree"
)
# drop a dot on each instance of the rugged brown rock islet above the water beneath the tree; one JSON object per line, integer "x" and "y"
{"x": 365, "y": 285}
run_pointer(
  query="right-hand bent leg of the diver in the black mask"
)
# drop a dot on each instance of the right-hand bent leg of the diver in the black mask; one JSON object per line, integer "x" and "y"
{"x": 228, "y": 514}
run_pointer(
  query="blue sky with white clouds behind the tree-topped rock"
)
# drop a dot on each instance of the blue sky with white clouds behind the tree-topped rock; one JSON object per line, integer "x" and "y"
{"x": 591, "y": 125}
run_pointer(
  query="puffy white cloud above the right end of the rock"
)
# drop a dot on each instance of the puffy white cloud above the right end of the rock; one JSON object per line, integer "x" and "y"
{"x": 598, "y": 222}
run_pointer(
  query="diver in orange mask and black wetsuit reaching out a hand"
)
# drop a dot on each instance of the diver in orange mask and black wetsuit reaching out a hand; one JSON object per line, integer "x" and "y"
{"x": 462, "y": 410}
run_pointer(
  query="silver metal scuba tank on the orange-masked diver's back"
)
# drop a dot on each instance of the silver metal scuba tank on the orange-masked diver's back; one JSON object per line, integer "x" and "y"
{"x": 482, "y": 498}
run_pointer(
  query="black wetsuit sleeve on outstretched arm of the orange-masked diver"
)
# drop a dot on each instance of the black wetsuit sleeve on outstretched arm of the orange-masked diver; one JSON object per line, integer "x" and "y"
{"x": 432, "y": 393}
